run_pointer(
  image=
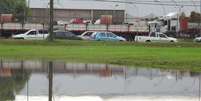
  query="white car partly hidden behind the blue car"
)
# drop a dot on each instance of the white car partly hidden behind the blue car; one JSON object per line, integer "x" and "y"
{"x": 86, "y": 35}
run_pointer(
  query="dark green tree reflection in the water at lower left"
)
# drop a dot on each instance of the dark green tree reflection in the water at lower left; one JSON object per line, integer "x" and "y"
{"x": 14, "y": 84}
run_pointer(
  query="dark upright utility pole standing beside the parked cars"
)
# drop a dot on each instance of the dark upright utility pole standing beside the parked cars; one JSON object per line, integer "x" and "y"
{"x": 51, "y": 21}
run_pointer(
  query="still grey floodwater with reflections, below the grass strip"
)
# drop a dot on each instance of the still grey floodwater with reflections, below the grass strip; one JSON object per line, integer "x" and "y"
{"x": 29, "y": 81}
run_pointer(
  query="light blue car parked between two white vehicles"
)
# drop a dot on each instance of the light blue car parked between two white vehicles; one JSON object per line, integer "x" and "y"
{"x": 106, "y": 36}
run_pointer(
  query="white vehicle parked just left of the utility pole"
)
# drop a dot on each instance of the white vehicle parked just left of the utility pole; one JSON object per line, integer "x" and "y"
{"x": 32, "y": 34}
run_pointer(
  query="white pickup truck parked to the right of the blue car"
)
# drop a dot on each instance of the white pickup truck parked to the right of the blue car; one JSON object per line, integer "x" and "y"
{"x": 155, "y": 37}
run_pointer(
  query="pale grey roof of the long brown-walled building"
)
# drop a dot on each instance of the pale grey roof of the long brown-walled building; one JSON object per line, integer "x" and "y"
{"x": 69, "y": 4}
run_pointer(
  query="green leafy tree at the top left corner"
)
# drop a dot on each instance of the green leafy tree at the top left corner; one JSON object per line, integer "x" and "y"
{"x": 16, "y": 7}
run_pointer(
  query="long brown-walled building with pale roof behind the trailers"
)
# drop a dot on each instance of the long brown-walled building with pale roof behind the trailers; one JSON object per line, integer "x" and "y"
{"x": 66, "y": 10}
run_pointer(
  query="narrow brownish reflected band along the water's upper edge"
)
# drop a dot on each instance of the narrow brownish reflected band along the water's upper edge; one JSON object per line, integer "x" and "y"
{"x": 102, "y": 70}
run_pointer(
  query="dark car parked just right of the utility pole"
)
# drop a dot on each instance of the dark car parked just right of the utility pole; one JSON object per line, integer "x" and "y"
{"x": 65, "y": 35}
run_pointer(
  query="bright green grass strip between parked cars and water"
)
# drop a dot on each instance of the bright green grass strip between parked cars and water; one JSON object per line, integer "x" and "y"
{"x": 183, "y": 56}
